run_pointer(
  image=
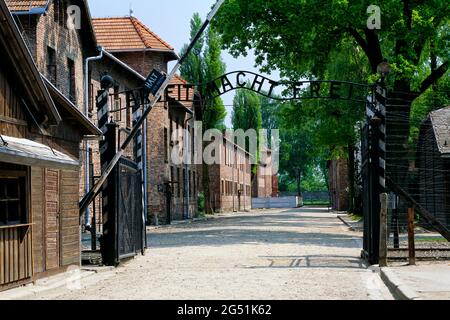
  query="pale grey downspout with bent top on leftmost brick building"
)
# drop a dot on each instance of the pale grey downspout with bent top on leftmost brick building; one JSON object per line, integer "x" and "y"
{"x": 87, "y": 184}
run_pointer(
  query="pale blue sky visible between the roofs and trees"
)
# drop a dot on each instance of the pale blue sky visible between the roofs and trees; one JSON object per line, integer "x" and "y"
{"x": 170, "y": 19}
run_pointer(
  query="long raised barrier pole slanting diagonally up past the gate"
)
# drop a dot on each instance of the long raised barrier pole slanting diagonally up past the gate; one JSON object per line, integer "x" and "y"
{"x": 90, "y": 196}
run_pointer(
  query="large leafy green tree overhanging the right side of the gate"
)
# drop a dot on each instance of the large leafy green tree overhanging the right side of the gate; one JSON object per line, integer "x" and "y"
{"x": 302, "y": 37}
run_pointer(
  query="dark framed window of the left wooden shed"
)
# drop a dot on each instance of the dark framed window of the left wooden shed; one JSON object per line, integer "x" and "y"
{"x": 13, "y": 198}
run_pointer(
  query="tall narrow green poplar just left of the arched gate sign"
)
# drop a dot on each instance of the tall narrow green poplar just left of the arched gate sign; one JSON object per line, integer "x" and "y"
{"x": 203, "y": 65}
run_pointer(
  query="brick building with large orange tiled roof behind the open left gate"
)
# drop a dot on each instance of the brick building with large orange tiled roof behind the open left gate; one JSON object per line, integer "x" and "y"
{"x": 134, "y": 44}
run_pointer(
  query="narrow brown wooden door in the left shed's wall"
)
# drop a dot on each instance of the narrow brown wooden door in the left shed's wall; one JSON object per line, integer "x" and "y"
{"x": 52, "y": 220}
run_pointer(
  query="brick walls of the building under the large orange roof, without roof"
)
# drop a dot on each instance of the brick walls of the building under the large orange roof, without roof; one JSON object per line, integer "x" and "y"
{"x": 158, "y": 151}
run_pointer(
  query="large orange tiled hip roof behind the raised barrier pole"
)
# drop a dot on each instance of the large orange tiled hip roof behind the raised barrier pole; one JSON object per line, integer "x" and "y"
{"x": 127, "y": 33}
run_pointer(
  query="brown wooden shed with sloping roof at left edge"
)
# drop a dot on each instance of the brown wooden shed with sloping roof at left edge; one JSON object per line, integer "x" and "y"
{"x": 40, "y": 135}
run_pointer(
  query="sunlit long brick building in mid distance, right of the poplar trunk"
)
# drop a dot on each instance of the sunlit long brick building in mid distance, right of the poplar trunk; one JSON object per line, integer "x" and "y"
{"x": 230, "y": 181}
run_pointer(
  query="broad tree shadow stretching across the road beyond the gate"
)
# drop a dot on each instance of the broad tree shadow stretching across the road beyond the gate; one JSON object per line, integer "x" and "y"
{"x": 301, "y": 227}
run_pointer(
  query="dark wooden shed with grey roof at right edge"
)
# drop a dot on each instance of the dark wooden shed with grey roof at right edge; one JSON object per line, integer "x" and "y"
{"x": 433, "y": 165}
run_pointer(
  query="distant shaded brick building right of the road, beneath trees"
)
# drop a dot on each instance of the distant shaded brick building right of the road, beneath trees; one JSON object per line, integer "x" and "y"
{"x": 338, "y": 184}
